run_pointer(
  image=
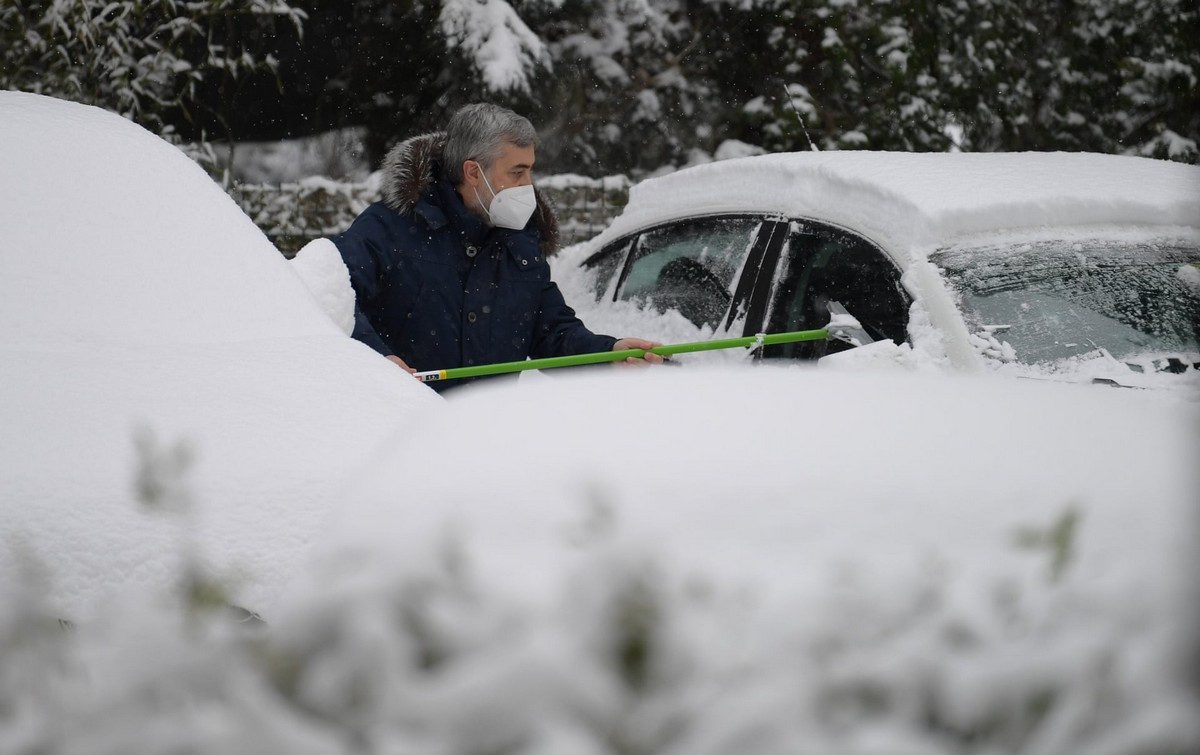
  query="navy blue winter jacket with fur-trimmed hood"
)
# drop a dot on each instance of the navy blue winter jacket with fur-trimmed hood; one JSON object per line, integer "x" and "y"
{"x": 440, "y": 289}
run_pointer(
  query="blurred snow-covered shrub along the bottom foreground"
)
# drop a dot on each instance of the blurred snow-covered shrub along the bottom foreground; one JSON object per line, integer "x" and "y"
{"x": 634, "y": 657}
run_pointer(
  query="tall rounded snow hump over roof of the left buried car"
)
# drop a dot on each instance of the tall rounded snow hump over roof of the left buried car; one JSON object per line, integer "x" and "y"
{"x": 77, "y": 177}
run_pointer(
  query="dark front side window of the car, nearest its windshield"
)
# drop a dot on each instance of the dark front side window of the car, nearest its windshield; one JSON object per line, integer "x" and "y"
{"x": 825, "y": 266}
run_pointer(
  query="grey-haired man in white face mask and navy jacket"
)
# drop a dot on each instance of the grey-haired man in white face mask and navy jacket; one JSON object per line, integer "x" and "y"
{"x": 451, "y": 268}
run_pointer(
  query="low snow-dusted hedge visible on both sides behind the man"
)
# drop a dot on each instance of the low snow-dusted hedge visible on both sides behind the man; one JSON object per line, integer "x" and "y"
{"x": 293, "y": 214}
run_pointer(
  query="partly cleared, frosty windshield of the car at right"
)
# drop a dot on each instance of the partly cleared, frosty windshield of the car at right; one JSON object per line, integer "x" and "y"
{"x": 1053, "y": 301}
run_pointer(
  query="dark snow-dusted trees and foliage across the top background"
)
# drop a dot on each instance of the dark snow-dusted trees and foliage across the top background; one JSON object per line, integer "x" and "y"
{"x": 634, "y": 86}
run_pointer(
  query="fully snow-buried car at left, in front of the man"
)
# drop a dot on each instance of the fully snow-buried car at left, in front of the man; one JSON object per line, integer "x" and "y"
{"x": 137, "y": 301}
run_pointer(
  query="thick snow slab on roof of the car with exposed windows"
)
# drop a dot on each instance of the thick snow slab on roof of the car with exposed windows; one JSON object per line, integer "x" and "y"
{"x": 920, "y": 202}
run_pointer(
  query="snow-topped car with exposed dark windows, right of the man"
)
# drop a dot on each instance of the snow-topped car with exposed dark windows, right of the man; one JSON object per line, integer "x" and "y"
{"x": 1079, "y": 265}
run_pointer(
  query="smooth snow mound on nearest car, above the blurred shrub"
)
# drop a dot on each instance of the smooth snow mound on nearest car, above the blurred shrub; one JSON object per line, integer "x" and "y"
{"x": 799, "y": 463}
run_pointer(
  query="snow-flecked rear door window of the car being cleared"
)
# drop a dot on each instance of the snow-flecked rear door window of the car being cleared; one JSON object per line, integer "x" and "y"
{"x": 691, "y": 266}
